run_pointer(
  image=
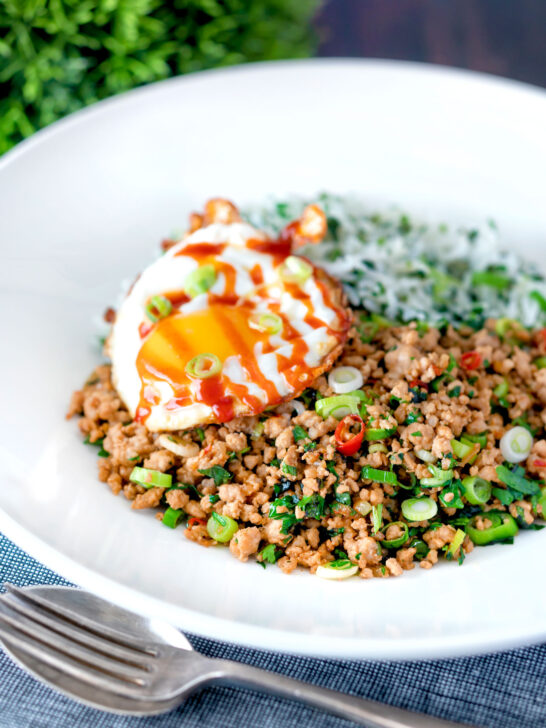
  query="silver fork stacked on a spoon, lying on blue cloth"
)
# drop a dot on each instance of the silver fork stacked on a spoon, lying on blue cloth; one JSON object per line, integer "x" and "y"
{"x": 115, "y": 660}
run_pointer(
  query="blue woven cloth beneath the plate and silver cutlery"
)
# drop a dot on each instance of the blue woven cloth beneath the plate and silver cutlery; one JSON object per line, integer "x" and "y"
{"x": 505, "y": 690}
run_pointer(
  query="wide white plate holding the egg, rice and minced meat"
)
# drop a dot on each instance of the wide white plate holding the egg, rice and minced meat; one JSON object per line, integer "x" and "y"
{"x": 82, "y": 206}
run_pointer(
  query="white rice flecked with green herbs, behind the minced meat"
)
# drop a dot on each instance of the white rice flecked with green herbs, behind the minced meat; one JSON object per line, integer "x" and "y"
{"x": 406, "y": 270}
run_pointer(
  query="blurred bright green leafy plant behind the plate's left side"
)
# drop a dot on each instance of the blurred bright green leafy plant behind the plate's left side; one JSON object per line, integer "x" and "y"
{"x": 59, "y": 55}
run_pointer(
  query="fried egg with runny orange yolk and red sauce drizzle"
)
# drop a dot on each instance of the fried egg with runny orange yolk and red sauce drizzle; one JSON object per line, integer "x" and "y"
{"x": 225, "y": 324}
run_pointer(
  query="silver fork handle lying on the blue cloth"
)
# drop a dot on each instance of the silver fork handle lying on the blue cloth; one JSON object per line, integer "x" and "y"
{"x": 359, "y": 710}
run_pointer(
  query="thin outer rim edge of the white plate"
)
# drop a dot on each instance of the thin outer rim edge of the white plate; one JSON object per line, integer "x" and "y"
{"x": 221, "y": 628}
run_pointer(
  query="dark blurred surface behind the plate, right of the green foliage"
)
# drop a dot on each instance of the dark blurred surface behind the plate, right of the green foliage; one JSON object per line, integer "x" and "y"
{"x": 504, "y": 37}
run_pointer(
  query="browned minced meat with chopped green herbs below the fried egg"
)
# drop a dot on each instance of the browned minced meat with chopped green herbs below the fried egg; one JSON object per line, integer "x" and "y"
{"x": 298, "y": 501}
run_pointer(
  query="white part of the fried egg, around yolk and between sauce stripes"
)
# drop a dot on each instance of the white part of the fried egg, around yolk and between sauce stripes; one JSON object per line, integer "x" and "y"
{"x": 168, "y": 273}
